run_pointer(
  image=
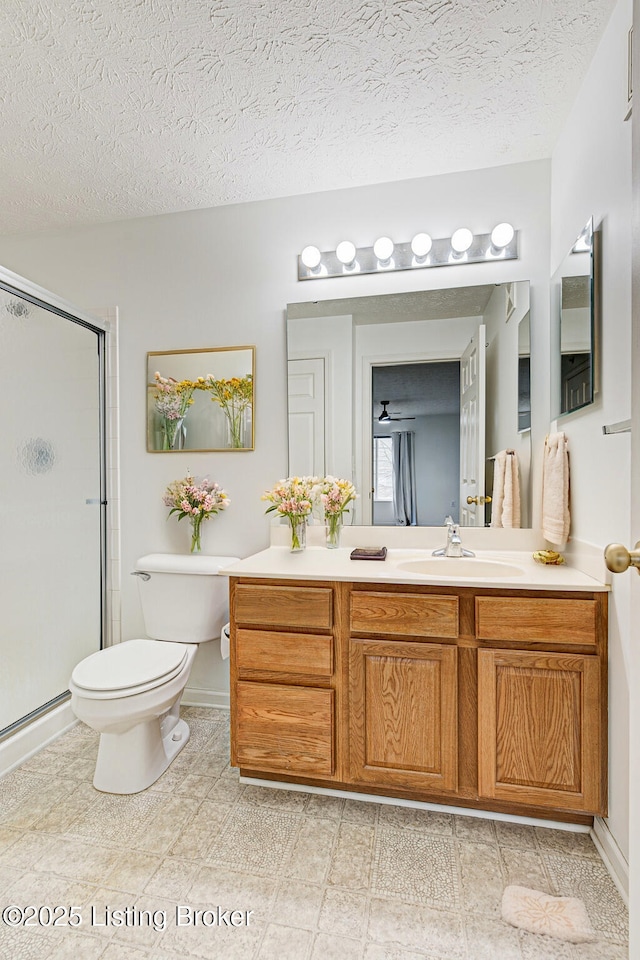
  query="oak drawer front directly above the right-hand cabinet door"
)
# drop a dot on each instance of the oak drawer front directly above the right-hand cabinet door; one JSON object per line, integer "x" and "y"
{"x": 531, "y": 619}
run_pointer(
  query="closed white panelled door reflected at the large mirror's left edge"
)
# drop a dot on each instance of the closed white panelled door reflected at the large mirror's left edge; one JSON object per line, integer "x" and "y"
{"x": 306, "y": 418}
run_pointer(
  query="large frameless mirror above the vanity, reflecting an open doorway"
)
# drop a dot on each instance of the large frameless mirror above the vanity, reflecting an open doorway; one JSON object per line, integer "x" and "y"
{"x": 352, "y": 360}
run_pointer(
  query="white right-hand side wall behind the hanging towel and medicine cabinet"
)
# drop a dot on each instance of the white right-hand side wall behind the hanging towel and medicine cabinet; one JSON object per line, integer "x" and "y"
{"x": 591, "y": 176}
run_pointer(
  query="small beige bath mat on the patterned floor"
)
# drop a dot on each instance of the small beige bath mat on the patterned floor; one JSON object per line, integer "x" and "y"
{"x": 562, "y": 917}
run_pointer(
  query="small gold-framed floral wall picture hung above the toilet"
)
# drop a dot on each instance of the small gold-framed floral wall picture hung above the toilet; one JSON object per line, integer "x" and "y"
{"x": 200, "y": 399}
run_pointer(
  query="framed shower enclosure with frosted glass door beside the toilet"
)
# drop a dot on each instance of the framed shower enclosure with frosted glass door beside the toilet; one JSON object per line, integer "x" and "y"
{"x": 52, "y": 497}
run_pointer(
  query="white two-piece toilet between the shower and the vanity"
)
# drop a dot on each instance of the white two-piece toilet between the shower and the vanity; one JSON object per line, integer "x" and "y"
{"x": 130, "y": 692}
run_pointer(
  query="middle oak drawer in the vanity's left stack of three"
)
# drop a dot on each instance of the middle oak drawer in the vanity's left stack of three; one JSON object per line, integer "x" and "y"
{"x": 274, "y": 652}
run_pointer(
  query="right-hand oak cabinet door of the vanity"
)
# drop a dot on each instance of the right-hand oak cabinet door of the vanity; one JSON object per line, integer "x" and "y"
{"x": 539, "y": 734}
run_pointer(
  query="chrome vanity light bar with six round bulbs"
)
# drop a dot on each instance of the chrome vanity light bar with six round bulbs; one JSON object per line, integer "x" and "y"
{"x": 462, "y": 247}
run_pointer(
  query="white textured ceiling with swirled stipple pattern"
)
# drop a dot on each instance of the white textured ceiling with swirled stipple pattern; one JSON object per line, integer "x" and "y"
{"x": 124, "y": 108}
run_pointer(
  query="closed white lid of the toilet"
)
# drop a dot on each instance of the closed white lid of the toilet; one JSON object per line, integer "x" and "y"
{"x": 130, "y": 664}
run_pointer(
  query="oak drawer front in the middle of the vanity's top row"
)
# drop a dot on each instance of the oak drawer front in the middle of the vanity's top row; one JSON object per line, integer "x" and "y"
{"x": 405, "y": 614}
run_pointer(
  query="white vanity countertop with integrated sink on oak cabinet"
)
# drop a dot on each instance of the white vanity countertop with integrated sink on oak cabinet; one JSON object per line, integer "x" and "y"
{"x": 507, "y": 570}
